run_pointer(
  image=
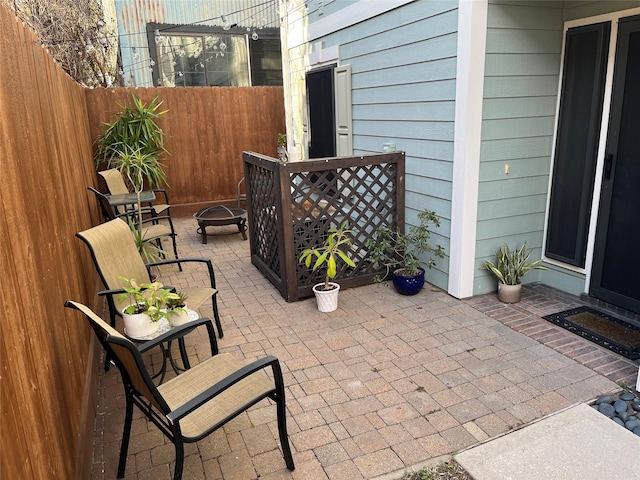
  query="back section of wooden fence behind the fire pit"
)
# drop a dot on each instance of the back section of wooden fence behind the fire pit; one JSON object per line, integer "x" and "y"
{"x": 207, "y": 129}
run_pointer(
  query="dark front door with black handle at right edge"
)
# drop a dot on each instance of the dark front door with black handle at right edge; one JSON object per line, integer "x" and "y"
{"x": 616, "y": 265}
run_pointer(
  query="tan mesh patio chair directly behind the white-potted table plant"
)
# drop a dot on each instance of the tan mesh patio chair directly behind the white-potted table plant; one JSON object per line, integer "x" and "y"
{"x": 115, "y": 255}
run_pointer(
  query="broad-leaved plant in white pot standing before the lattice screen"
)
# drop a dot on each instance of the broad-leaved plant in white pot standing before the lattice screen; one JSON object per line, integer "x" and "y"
{"x": 327, "y": 257}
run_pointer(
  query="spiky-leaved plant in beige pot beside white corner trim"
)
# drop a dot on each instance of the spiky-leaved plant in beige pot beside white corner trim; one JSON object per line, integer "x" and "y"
{"x": 511, "y": 266}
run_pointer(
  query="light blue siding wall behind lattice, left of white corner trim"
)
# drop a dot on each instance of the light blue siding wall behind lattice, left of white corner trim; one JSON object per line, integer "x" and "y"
{"x": 403, "y": 91}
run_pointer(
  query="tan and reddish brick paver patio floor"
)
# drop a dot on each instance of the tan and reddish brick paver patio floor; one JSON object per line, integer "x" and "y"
{"x": 383, "y": 383}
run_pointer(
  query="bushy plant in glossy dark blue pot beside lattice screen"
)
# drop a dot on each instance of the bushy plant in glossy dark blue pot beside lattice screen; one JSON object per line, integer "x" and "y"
{"x": 401, "y": 254}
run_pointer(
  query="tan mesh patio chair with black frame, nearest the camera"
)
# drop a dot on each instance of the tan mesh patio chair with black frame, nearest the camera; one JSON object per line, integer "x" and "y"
{"x": 191, "y": 406}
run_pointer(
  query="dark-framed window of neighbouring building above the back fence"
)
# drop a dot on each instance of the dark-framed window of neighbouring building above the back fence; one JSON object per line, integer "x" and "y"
{"x": 195, "y": 56}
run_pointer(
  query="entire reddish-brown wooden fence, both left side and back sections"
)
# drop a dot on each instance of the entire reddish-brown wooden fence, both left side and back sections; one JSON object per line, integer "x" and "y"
{"x": 47, "y": 127}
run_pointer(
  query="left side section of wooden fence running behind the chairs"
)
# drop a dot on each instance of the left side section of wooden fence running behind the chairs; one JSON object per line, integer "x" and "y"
{"x": 45, "y": 150}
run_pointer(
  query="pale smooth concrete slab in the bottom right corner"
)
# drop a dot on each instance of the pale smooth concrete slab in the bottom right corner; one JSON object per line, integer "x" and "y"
{"x": 575, "y": 444}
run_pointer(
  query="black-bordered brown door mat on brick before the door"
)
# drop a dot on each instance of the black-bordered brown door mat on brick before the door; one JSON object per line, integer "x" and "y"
{"x": 598, "y": 327}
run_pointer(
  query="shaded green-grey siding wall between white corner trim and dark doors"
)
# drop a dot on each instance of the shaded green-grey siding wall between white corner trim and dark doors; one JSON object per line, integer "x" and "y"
{"x": 524, "y": 46}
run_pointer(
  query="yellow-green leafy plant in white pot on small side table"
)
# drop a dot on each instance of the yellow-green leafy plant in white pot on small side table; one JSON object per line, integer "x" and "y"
{"x": 147, "y": 305}
